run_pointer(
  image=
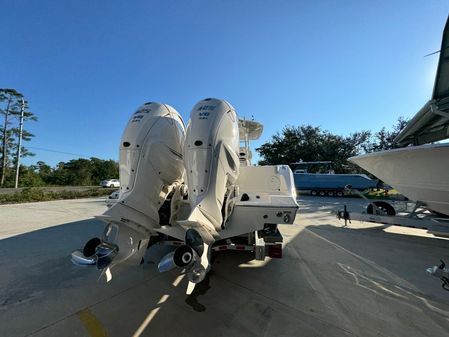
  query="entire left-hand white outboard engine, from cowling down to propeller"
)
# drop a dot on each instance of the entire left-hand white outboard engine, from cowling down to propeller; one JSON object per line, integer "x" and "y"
{"x": 151, "y": 165}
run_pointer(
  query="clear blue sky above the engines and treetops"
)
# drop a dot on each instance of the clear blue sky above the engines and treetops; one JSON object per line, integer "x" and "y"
{"x": 85, "y": 66}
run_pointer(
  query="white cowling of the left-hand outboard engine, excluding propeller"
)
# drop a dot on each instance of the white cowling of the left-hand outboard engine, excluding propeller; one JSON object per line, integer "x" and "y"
{"x": 150, "y": 161}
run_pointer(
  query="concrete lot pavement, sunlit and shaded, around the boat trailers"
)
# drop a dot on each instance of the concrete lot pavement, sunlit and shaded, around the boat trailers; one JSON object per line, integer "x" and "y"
{"x": 362, "y": 280}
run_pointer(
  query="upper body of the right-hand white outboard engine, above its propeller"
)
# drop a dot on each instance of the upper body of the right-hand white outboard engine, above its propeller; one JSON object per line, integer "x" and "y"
{"x": 211, "y": 162}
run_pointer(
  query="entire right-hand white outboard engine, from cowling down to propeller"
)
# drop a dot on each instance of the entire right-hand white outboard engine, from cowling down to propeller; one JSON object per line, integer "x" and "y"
{"x": 212, "y": 167}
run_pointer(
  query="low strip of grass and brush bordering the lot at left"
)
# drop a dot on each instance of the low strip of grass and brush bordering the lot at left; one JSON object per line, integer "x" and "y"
{"x": 31, "y": 194}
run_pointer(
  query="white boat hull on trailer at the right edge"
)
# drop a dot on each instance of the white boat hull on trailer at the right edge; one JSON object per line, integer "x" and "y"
{"x": 421, "y": 173}
